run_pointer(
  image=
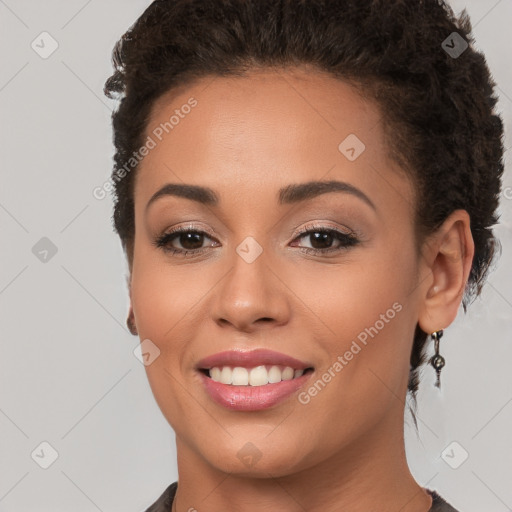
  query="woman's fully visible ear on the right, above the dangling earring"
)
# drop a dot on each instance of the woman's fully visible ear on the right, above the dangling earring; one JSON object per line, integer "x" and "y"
{"x": 447, "y": 259}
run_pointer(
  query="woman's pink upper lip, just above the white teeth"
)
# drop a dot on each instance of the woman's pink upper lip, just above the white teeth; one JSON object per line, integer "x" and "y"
{"x": 250, "y": 359}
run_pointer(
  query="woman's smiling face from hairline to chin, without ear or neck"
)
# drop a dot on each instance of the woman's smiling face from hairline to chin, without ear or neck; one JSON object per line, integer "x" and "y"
{"x": 327, "y": 276}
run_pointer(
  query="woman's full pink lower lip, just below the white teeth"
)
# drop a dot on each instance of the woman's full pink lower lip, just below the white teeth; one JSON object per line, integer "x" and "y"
{"x": 252, "y": 398}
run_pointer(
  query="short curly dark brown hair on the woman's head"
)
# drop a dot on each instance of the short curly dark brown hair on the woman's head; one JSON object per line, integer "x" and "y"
{"x": 438, "y": 107}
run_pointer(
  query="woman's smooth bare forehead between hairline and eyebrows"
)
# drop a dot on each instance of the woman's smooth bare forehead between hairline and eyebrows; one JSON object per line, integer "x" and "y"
{"x": 274, "y": 127}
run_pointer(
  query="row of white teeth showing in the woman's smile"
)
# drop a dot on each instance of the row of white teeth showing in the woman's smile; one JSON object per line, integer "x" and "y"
{"x": 257, "y": 376}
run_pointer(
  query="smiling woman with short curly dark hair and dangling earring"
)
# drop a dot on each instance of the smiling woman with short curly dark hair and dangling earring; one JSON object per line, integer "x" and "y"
{"x": 305, "y": 192}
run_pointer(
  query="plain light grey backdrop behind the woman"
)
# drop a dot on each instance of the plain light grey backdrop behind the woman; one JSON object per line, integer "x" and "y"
{"x": 68, "y": 374}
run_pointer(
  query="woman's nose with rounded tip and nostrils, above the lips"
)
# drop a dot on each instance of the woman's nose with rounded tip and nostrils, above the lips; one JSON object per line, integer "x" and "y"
{"x": 251, "y": 296}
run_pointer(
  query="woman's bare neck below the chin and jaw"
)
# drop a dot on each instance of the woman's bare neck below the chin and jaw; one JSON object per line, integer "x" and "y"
{"x": 371, "y": 473}
